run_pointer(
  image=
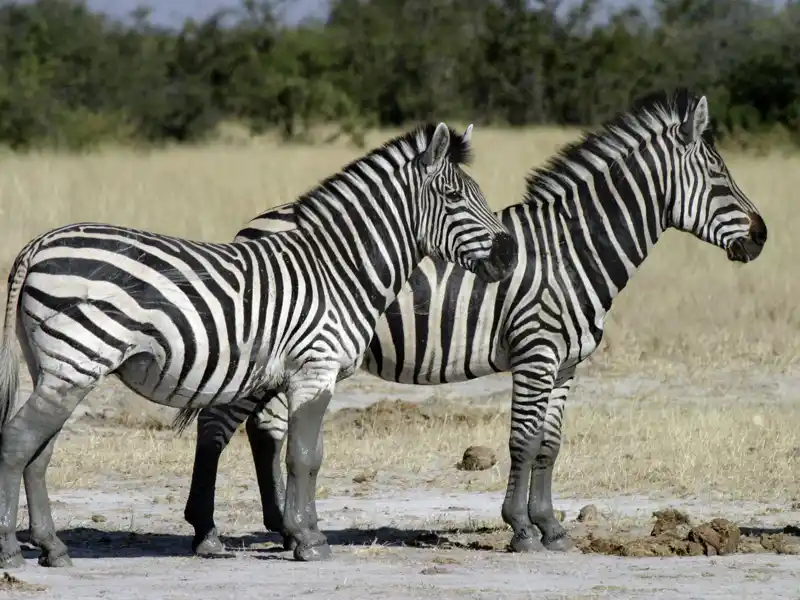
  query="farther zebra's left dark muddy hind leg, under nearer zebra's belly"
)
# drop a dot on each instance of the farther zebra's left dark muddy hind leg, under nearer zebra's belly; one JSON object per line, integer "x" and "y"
{"x": 215, "y": 428}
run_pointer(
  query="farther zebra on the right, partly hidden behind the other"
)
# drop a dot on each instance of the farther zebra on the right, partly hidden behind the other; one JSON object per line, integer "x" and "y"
{"x": 588, "y": 219}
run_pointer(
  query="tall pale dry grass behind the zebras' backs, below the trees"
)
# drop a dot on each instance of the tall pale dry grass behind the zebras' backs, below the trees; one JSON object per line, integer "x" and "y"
{"x": 688, "y": 306}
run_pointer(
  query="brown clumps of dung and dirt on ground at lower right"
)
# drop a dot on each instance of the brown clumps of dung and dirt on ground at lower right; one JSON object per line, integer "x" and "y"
{"x": 674, "y": 535}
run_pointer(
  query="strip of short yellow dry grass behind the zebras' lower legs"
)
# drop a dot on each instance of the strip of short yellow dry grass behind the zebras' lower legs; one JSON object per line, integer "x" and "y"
{"x": 624, "y": 447}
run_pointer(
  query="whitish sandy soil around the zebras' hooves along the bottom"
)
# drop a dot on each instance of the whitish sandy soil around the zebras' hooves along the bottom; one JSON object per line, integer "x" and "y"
{"x": 130, "y": 554}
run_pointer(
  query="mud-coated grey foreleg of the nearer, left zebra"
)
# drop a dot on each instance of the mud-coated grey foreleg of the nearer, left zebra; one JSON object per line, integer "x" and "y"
{"x": 303, "y": 460}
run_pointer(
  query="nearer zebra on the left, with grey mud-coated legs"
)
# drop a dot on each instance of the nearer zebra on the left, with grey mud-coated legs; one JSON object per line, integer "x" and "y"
{"x": 189, "y": 324}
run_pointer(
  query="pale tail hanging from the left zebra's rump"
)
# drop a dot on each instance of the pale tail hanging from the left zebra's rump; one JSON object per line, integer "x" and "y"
{"x": 9, "y": 356}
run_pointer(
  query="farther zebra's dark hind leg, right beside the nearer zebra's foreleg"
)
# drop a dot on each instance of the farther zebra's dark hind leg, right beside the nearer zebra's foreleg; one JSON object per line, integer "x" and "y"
{"x": 266, "y": 428}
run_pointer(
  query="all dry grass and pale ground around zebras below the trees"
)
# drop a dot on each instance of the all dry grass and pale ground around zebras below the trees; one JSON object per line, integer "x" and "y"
{"x": 690, "y": 403}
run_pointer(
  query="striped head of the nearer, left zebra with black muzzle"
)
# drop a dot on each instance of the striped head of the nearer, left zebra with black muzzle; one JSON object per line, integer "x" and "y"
{"x": 455, "y": 221}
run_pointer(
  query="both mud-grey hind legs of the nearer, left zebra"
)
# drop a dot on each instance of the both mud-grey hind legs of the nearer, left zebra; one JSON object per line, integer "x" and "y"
{"x": 28, "y": 439}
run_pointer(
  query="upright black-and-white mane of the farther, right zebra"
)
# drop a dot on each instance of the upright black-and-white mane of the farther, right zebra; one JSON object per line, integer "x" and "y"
{"x": 620, "y": 135}
